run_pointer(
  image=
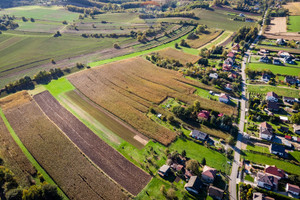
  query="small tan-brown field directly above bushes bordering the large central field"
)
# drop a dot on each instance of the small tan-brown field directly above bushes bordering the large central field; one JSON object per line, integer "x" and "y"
{"x": 182, "y": 57}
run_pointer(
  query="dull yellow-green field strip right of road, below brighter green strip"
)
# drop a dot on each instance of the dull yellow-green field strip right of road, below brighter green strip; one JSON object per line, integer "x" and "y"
{"x": 264, "y": 89}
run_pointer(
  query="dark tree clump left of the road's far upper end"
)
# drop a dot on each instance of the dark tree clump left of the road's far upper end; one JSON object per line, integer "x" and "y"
{"x": 248, "y": 34}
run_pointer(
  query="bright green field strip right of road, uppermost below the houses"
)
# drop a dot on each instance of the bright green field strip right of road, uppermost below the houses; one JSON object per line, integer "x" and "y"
{"x": 276, "y": 69}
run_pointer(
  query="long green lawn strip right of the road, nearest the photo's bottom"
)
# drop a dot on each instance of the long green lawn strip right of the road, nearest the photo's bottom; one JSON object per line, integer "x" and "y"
{"x": 262, "y": 159}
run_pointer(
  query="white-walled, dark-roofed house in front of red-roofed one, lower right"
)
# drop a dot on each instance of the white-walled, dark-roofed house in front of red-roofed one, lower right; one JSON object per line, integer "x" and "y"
{"x": 266, "y": 181}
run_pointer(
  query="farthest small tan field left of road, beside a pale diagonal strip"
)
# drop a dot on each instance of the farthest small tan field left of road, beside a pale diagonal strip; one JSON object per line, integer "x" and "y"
{"x": 204, "y": 39}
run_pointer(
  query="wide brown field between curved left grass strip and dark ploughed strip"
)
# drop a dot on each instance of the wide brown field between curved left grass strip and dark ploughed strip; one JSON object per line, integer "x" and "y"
{"x": 62, "y": 160}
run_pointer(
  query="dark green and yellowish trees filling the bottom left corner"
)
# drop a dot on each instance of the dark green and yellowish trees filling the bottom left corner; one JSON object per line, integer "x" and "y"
{"x": 11, "y": 190}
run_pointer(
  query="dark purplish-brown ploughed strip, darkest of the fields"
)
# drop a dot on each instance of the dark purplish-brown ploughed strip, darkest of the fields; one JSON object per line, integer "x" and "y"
{"x": 129, "y": 176}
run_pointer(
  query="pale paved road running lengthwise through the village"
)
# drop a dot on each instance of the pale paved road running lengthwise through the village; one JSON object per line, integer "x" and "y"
{"x": 234, "y": 179}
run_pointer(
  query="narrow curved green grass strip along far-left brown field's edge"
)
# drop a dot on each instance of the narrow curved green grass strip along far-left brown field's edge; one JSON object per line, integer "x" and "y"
{"x": 29, "y": 156}
